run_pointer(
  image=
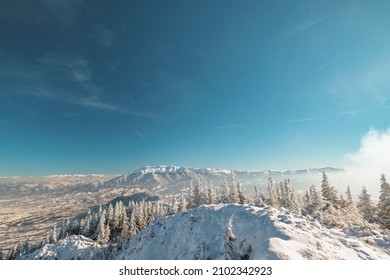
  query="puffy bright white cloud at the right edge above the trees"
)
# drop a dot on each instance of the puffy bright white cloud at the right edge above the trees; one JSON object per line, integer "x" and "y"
{"x": 373, "y": 154}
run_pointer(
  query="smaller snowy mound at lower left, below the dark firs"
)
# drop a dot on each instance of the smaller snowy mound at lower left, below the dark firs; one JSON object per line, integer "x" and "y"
{"x": 75, "y": 247}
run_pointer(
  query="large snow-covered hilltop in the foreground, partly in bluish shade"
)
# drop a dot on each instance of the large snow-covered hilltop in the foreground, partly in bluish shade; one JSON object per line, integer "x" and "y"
{"x": 248, "y": 232}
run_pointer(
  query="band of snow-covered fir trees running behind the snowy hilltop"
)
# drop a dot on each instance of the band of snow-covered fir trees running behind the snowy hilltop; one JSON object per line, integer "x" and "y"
{"x": 116, "y": 224}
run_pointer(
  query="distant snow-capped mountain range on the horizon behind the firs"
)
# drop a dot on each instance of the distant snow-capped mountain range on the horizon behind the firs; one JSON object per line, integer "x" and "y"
{"x": 173, "y": 179}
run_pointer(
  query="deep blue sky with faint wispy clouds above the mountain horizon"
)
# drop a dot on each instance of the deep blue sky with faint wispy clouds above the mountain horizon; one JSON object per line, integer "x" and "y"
{"x": 104, "y": 87}
